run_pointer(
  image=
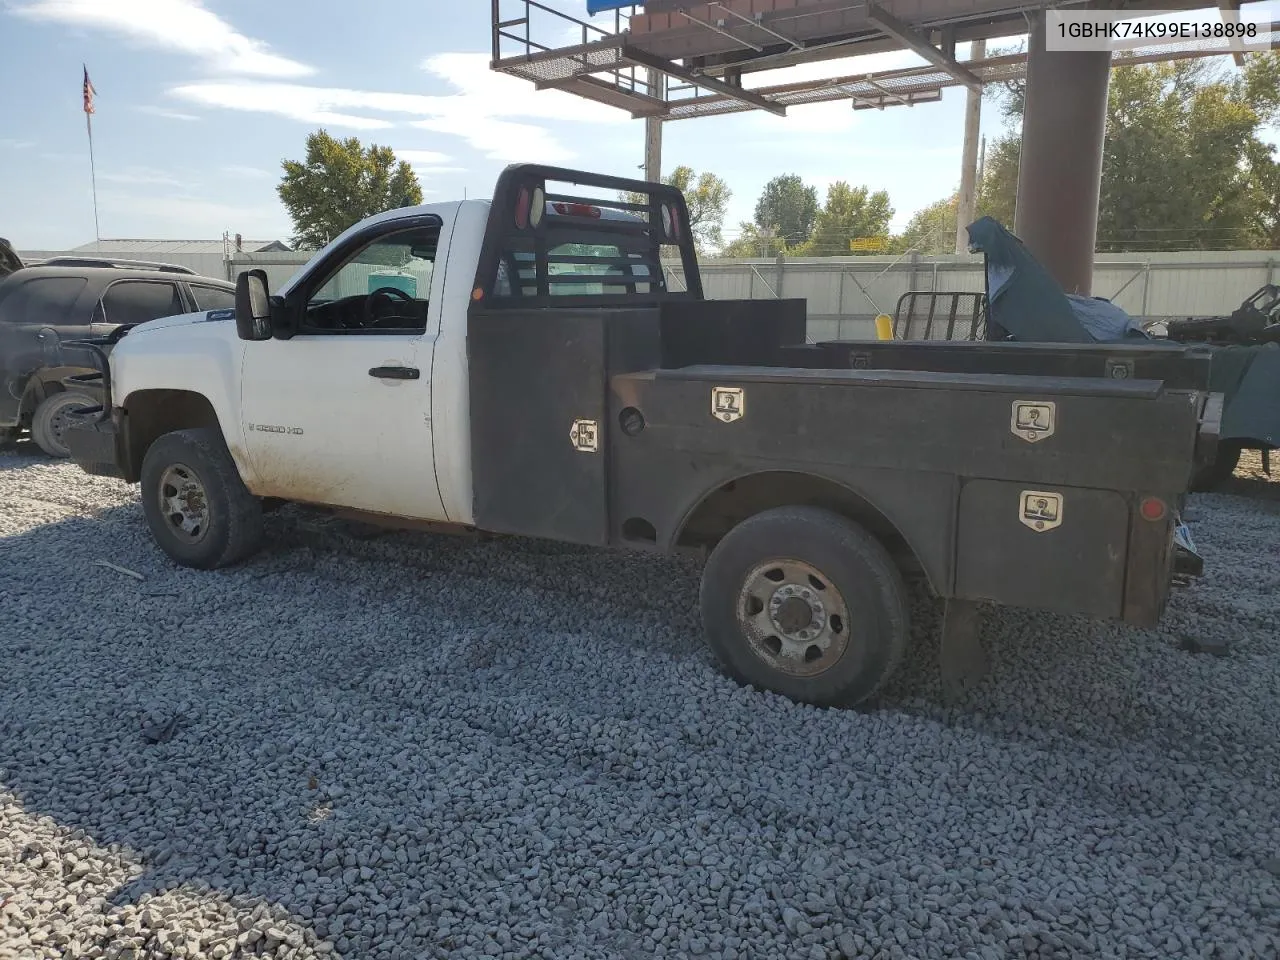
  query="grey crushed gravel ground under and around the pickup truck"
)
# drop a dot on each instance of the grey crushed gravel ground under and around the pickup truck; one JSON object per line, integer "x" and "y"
{"x": 415, "y": 747}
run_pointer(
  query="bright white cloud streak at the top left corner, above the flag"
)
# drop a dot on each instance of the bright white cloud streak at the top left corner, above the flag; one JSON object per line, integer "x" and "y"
{"x": 181, "y": 26}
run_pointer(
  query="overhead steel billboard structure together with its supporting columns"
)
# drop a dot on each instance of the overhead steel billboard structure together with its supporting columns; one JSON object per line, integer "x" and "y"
{"x": 682, "y": 60}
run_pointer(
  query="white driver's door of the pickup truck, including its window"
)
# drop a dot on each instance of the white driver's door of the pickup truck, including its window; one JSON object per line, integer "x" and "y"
{"x": 341, "y": 414}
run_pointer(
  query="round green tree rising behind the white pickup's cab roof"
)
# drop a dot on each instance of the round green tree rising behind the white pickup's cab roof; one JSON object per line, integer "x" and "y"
{"x": 340, "y": 184}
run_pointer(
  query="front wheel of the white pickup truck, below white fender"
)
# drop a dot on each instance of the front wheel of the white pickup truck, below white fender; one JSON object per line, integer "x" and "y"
{"x": 195, "y": 502}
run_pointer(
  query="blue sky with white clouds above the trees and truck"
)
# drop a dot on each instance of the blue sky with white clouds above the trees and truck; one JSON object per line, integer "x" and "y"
{"x": 200, "y": 102}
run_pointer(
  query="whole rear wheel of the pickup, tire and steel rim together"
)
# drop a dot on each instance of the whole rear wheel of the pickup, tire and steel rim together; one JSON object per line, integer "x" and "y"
{"x": 806, "y": 604}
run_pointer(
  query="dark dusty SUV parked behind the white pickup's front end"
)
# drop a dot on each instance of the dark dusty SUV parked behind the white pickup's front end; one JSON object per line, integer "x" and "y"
{"x": 70, "y": 299}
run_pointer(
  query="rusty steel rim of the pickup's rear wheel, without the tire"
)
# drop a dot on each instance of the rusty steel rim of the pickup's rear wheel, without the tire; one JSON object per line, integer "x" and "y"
{"x": 793, "y": 618}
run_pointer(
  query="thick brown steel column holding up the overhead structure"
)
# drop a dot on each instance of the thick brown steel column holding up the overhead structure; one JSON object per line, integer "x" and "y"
{"x": 1059, "y": 180}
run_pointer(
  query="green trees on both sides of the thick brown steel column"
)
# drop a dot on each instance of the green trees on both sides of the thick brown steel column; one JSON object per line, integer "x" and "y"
{"x": 1186, "y": 164}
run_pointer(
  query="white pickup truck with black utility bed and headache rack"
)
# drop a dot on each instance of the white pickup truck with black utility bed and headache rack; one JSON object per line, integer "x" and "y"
{"x": 525, "y": 367}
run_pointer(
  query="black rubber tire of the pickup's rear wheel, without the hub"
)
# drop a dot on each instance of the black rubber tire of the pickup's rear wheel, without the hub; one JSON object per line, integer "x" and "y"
{"x": 854, "y": 563}
